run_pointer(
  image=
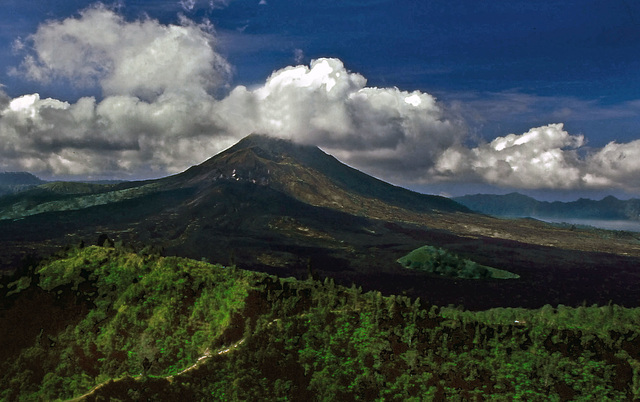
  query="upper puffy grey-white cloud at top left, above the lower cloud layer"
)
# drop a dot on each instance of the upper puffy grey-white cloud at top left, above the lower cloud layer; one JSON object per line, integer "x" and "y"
{"x": 142, "y": 58}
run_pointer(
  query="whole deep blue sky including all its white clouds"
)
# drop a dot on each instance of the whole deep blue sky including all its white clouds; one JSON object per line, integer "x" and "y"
{"x": 447, "y": 97}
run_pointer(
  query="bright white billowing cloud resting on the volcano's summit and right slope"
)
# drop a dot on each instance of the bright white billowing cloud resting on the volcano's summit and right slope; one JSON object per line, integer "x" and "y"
{"x": 383, "y": 130}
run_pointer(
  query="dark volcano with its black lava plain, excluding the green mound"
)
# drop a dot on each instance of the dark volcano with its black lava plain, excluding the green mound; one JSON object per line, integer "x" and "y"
{"x": 276, "y": 206}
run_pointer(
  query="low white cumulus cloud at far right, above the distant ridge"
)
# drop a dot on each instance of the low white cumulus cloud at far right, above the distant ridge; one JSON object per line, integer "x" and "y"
{"x": 543, "y": 157}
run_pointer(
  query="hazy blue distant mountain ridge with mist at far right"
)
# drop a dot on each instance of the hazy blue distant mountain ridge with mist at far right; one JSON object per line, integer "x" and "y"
{"x": 518, "y": 205}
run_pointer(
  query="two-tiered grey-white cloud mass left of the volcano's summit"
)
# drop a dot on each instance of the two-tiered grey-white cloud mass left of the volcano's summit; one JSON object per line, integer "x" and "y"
{"x": 155, "y": 117}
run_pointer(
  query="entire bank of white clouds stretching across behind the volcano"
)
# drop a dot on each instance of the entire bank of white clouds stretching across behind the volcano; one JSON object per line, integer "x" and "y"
{"x": 166, "y": 104}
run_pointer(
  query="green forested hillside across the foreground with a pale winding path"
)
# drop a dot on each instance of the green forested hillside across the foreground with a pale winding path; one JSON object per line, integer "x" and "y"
{"x": 108, "y": 323}
